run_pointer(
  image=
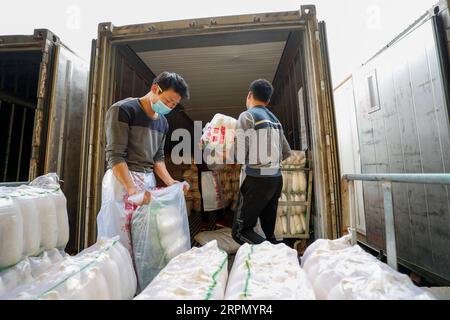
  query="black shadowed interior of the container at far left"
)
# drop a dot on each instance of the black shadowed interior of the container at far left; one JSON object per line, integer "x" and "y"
{"x": 19, "y": 74}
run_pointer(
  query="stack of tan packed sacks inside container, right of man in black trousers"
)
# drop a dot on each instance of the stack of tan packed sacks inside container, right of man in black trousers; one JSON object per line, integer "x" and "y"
{"x": 291, "y": 218}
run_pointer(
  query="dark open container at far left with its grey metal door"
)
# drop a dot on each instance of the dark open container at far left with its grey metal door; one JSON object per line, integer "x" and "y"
{"x": 43, "y": 91}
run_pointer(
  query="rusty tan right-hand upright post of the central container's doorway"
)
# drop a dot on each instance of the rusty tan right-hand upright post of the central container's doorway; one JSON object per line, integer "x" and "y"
{"x": 319, "y": 93}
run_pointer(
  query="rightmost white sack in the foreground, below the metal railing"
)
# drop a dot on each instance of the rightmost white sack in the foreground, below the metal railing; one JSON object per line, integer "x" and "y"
{"x": 339, "y": 271}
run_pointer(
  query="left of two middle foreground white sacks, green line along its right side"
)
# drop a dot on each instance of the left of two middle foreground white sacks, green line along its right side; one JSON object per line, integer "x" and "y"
{"x": 199, "y": 274}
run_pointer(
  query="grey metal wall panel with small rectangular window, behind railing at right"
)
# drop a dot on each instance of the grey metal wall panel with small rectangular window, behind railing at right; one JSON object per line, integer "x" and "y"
{"x": 404, "y": 128}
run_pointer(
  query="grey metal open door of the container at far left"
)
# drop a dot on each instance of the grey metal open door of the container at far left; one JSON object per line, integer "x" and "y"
{"x": 67, "y": 107}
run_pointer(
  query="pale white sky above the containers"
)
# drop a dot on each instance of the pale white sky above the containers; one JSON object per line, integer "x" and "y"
{"x": 357, "y": 29}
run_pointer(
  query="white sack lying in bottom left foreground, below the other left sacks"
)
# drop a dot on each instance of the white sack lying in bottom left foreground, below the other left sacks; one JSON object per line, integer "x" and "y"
{"x": 101, "y": 272}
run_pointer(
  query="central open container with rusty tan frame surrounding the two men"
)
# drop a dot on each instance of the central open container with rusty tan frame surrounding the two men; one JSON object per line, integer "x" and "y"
{"x": 219, "y": 57}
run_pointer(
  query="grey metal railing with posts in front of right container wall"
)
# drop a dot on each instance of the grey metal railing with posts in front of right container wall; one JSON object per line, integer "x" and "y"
{"x": 387, "y": 180}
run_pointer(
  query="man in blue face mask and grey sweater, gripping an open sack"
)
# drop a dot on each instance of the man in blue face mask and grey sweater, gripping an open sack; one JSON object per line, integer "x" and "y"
{"x": 136, "y": 130}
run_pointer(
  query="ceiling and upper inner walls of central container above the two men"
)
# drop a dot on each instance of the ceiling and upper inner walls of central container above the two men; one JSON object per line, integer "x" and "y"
{"x": 219, "y": 69}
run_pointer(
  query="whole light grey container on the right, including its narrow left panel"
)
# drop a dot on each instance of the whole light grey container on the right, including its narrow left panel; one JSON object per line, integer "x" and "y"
{"x": 393, "y": 117}
